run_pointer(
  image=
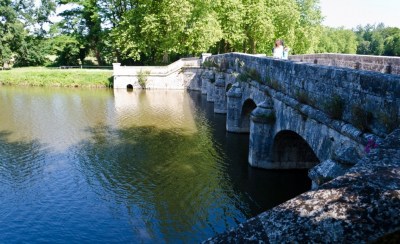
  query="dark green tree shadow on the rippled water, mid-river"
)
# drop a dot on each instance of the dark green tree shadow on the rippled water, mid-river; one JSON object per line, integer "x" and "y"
{"x": 171, "y": 182}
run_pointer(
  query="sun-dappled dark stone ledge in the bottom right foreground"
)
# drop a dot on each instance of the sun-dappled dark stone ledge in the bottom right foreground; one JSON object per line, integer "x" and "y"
{"x": 361, "y": 206}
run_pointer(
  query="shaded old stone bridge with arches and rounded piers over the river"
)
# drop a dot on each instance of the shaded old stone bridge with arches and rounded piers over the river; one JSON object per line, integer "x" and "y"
{"x": 300, "y": 114}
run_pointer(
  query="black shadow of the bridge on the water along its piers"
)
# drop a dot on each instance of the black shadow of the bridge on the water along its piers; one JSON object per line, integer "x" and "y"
{"x": 263, "y": 188}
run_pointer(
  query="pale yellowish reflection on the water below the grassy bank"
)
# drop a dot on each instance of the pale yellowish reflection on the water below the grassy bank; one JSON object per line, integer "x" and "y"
{"x": 52, "y": 116}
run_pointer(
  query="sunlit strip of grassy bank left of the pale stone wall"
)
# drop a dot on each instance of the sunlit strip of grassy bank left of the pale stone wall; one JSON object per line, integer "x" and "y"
{"x": 40, "y": 76}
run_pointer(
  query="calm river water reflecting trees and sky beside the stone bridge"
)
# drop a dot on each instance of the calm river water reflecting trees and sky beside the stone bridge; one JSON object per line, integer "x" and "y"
{"x": 117, "y": 166}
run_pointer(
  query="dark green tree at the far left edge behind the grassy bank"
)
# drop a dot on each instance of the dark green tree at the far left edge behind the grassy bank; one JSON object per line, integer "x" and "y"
{"x": 20, "y": 39}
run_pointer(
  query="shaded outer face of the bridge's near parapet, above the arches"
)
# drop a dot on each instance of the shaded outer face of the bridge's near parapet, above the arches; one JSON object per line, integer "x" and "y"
{"x": 370, "y": 101}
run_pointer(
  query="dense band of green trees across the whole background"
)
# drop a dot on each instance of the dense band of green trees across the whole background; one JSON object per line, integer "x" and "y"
{"x": 151, "y": 32}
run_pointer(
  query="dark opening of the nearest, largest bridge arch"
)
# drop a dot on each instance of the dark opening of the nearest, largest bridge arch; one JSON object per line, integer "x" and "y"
{"x": 291, "y": 150}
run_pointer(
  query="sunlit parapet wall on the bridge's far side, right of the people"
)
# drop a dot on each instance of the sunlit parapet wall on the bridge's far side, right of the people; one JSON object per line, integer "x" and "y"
{"x": 382, "y": 64}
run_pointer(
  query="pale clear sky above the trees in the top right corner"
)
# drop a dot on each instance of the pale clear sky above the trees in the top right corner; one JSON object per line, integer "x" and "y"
{"x": 350, "y": 13}
